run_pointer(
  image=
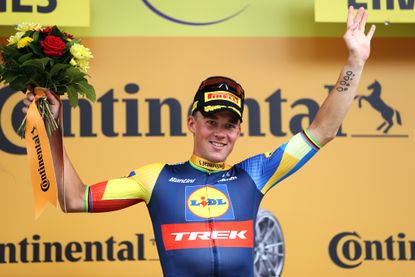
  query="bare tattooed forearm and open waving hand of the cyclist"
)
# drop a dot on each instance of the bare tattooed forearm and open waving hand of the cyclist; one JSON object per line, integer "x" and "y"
{"x": 333, "y": 110}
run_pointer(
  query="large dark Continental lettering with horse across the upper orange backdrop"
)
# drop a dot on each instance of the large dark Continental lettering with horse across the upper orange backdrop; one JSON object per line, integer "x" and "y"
{"x": 388, "y": 122}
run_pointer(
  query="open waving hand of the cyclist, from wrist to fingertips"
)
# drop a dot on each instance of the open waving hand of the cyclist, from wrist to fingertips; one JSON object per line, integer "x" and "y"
{"x": 356, "y": 40}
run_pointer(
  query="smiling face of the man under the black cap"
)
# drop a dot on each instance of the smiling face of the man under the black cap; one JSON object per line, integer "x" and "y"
{"x": 214, "y": 136}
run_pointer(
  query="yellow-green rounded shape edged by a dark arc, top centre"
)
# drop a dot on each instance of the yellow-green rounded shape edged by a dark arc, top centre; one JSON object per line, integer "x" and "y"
{"x": 217, "y": 10}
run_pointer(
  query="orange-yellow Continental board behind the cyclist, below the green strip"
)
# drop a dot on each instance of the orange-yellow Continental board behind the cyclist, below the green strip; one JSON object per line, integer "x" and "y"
{"x": 348, "y": 212}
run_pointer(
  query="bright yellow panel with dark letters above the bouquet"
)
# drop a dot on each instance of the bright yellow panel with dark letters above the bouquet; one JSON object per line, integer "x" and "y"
{"x": 45, "y": 12}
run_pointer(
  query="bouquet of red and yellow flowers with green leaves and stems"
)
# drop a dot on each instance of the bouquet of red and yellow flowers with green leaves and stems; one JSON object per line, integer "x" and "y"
{"x": 38, "y": 56}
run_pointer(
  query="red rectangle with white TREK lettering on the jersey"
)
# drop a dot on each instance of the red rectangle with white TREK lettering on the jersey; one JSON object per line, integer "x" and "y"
{"x": 202, "y": 235}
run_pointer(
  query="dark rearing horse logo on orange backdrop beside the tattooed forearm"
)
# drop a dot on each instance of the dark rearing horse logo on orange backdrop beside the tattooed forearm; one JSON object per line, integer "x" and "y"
{"x": 377, "y": 103}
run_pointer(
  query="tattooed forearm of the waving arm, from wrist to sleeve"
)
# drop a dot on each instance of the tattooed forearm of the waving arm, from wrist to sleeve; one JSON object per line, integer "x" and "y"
{"x": 334, "y": 109}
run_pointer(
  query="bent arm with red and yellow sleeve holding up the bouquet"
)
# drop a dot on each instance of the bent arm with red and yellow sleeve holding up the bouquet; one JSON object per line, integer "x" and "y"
{"x": 105, "y": 196}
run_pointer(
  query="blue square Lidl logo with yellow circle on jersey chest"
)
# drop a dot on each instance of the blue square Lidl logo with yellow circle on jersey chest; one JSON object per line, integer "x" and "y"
{"x": 203, "y": 202}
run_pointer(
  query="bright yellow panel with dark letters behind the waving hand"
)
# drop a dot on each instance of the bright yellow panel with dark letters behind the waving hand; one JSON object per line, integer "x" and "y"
{"x": 390, "y": 11}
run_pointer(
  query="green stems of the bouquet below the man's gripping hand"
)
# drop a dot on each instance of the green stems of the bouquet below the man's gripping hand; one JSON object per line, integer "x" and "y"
{"x": 42, "y": 105}
